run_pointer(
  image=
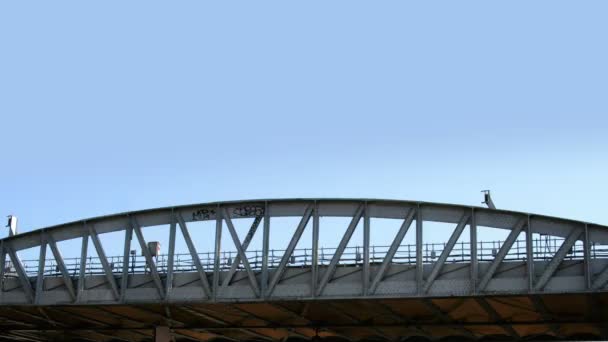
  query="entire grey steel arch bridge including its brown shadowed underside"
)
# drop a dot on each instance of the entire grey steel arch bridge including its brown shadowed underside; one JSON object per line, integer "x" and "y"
{"x": 547, "y": 279}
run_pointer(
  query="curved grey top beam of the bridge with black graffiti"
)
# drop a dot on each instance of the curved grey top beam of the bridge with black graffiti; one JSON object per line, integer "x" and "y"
{"x": 378, "y": 208}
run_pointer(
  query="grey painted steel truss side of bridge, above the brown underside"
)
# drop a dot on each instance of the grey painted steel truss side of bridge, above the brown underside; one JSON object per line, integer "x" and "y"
{"x": 364, "y": 278}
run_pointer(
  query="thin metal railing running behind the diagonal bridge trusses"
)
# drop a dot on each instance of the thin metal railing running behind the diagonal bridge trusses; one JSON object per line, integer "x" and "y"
{"x": 543, "y": 249}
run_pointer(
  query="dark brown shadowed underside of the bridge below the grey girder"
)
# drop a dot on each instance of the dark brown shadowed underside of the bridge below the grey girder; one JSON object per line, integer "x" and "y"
{"x": 526, "y": 317}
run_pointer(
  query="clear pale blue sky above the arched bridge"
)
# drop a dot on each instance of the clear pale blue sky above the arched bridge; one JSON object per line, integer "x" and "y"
{"x": 110, "y": 106}
